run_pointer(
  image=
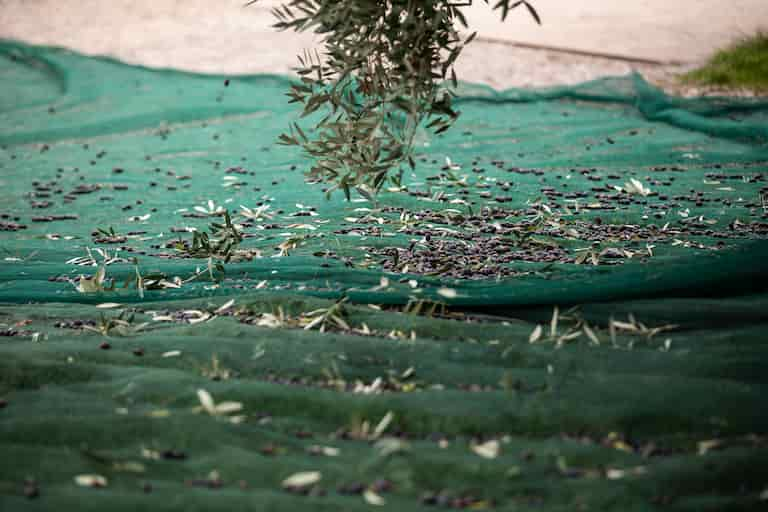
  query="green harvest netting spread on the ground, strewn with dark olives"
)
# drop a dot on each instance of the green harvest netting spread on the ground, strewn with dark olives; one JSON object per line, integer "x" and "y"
{"x": 535, "y": 208}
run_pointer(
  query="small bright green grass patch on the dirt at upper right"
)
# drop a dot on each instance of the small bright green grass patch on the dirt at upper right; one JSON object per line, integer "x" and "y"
{"x": 742, "y": 65}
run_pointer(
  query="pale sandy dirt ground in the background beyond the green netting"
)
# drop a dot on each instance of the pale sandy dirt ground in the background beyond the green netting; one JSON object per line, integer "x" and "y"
{"x": 226, "y": 37}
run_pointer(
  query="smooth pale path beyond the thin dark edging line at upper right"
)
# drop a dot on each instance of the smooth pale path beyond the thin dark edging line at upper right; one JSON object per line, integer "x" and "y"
{"x": 664, "y": 30}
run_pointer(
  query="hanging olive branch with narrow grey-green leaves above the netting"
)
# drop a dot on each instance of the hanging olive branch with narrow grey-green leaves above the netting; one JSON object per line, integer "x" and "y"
{"x": 387, "y": 67}
